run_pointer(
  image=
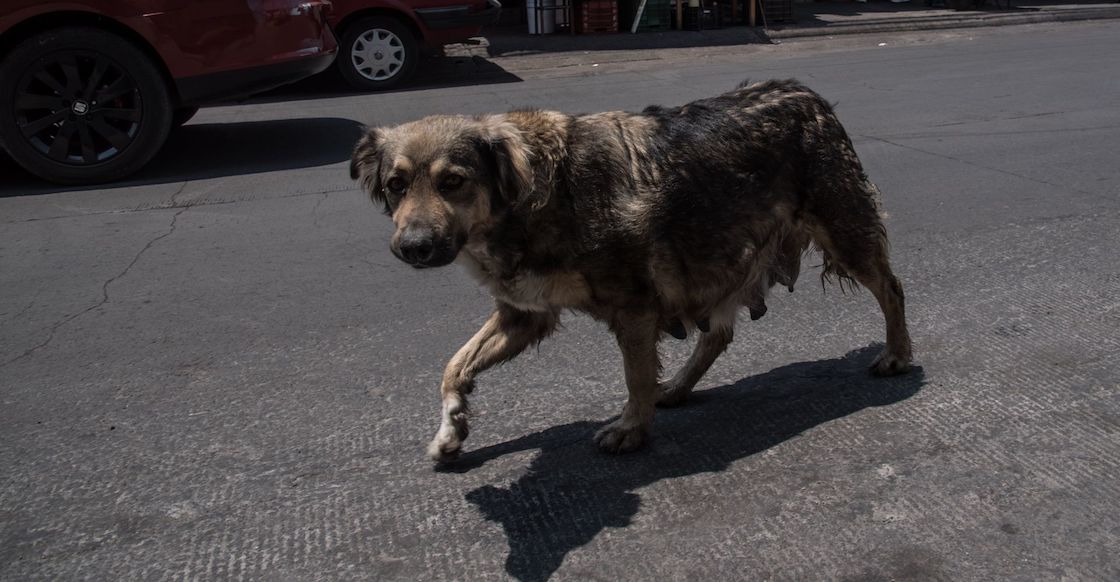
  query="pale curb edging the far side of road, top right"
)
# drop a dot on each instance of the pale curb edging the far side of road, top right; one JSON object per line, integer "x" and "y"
{"x": 948, "y": 22}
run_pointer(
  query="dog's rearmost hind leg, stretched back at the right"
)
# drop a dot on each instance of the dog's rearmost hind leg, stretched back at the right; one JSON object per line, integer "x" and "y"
{"x": 855, "y": 246}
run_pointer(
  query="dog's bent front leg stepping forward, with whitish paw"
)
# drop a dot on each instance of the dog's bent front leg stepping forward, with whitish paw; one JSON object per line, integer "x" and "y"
{"x": 508, "y": 333}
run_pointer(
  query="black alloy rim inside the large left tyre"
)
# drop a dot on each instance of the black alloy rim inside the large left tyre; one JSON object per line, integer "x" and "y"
{"x": 79, "y": 108}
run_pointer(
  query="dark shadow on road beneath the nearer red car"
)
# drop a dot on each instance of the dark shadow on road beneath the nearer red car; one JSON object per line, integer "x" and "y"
{"x": 216, "y": 151}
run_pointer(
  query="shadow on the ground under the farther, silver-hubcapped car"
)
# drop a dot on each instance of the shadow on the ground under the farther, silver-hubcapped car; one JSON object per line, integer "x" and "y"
{"x": 434, "y": 73}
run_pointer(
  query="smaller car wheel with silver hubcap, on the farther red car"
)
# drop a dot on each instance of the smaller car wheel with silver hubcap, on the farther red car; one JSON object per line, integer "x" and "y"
{"x": 378, "y": 53}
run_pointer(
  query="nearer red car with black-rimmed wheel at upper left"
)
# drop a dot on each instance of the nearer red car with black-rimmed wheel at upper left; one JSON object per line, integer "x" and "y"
{"x": 90, "y": 89}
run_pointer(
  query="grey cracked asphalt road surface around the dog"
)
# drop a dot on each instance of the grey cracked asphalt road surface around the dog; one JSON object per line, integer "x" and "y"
{"x": 218, "y": 371}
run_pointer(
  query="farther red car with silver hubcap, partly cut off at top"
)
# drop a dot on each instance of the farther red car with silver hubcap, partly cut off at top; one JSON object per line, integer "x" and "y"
{"x": 380, "y": 41}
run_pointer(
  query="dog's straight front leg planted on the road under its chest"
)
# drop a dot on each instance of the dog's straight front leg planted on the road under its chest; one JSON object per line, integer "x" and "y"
{"x": 638, "y": 339}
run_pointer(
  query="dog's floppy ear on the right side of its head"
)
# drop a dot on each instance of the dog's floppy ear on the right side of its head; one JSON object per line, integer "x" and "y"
{"x": 514, "y": 164}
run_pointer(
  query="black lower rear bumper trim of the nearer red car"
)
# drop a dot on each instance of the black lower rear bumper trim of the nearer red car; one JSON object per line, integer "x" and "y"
{"x": 230, "y": 86}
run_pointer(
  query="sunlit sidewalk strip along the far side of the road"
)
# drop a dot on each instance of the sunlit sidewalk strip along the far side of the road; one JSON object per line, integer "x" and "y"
{"x": 813, "y": 20}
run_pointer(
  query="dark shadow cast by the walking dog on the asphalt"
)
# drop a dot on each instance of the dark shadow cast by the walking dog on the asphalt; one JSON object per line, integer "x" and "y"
{"x": 571, "y": 492}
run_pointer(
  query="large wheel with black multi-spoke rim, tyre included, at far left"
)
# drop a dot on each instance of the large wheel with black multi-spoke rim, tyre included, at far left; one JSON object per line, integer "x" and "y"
{"x": 82, "y": 106}
